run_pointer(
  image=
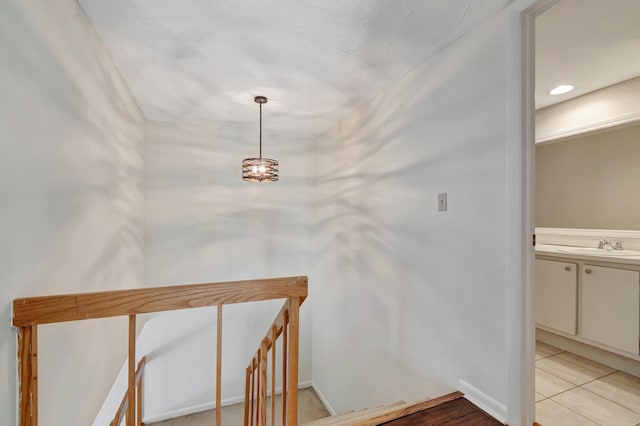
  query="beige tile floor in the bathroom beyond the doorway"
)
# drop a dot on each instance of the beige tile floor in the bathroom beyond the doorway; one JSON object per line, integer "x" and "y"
{"x": 571, "y": 390}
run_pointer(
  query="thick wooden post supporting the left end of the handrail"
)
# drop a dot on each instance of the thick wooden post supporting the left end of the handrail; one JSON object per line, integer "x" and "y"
{"x": 28, "y": 375}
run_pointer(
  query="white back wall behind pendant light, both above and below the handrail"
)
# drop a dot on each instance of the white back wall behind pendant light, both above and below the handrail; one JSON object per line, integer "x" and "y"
{"x": 204, "y": 224}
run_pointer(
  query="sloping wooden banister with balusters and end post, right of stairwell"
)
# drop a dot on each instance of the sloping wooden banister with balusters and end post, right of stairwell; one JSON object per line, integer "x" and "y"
{"x": 287, "y": 325}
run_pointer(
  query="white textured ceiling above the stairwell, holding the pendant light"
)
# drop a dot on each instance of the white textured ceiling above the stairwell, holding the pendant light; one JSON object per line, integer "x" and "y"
{"x": 202, "y": 61}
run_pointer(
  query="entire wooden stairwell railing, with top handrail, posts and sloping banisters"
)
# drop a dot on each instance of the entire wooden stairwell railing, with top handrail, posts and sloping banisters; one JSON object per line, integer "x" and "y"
{"x": 31, "y": 312}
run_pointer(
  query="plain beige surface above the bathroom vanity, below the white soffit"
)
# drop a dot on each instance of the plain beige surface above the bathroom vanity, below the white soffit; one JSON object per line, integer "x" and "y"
{"x": 590, "y": 181}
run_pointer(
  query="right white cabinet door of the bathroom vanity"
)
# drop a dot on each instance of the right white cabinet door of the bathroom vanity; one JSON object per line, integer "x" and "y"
{"x": 610, "y": 312}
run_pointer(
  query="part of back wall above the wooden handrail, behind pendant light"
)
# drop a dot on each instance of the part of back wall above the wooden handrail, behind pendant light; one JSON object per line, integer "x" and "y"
{"x": 204, "y": 223}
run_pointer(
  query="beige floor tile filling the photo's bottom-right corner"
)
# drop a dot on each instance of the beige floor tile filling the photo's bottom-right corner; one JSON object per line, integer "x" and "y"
{"x": 597, "y": 408}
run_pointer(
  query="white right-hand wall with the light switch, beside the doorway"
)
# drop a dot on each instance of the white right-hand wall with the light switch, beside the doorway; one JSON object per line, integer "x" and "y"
{"x": 408, "y": 300}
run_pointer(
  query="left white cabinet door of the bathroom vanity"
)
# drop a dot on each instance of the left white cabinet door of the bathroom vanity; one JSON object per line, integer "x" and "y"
{"x": 556, "y": 295}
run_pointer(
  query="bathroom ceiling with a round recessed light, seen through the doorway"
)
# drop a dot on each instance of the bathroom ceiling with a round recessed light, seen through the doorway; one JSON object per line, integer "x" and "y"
{"x": 588, "y": 43}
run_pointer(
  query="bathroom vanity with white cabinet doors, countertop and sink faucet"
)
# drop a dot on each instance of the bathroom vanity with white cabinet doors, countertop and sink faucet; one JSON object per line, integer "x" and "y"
{"x": 589, "y": 295}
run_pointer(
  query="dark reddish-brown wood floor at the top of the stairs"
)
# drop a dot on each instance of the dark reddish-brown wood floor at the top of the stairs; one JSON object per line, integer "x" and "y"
{"x": 456, "y": 412}
